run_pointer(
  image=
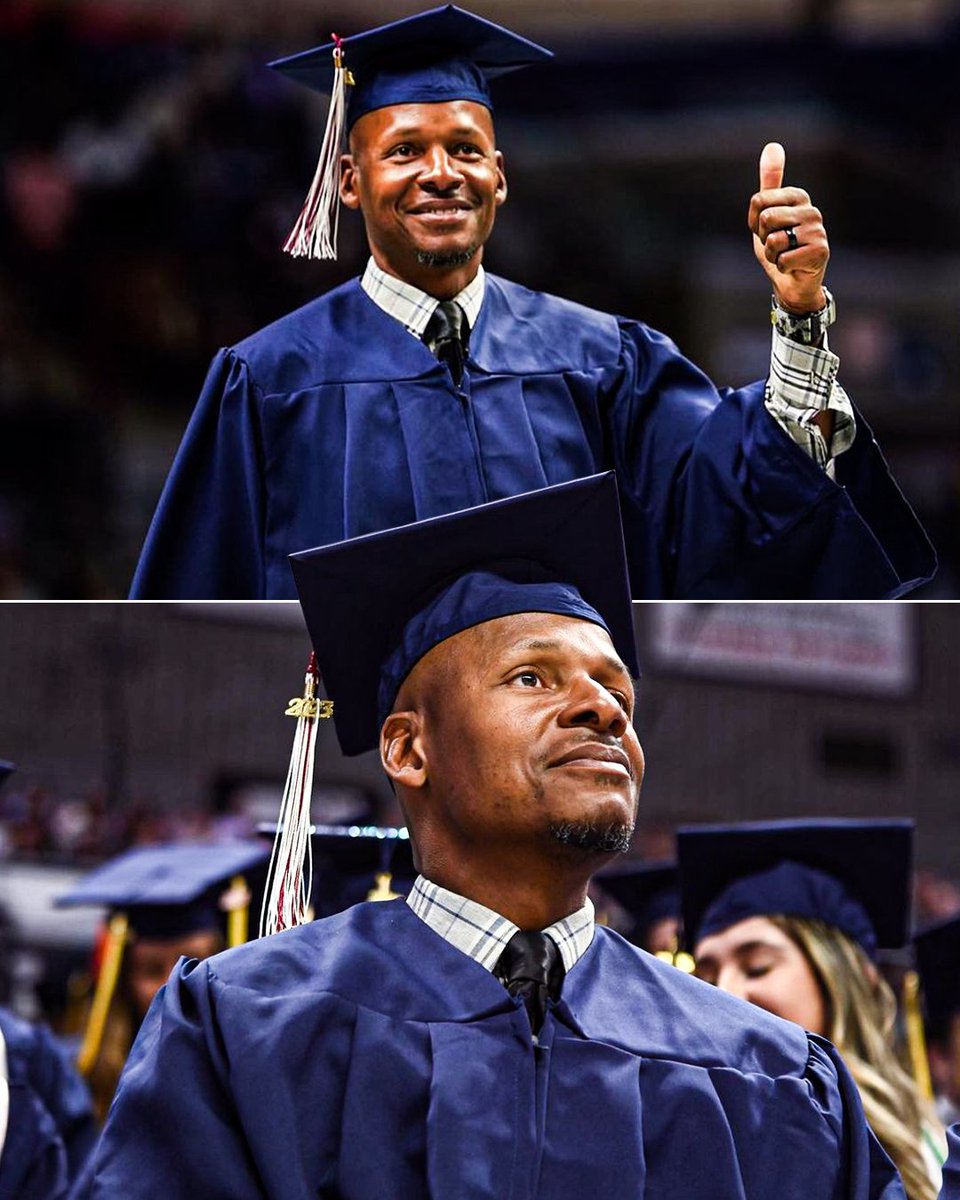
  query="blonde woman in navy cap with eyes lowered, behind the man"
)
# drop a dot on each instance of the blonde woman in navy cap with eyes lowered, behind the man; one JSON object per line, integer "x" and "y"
{"x": 790, "y": 916}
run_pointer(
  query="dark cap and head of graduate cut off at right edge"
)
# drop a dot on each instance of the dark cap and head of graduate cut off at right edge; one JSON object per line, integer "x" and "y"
{"x": 938, "y": 950}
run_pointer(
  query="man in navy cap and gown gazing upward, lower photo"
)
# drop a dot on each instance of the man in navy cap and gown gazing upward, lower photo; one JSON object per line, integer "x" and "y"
{"x": 483, "y": 1039}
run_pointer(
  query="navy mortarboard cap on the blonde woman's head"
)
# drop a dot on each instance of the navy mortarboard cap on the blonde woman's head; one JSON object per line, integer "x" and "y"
{"x": 854, "y": 875}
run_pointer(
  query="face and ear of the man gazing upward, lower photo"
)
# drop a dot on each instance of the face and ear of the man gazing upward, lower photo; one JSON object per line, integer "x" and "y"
{"x": 513, "y": 741}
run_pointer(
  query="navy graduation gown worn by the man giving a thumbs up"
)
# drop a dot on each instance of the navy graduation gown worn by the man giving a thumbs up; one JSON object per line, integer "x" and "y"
{"x": 335, "y": 422}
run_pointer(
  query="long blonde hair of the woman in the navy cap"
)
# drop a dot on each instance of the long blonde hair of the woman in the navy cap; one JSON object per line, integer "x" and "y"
{"x": 861, "y": 1011}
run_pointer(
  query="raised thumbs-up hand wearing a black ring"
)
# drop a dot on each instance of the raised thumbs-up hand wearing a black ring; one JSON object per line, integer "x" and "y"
{"x": 789, "y": 237}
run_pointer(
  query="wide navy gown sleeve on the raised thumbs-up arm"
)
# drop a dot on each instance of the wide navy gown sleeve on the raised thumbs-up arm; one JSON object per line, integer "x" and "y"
{"x": 739, "y": 509}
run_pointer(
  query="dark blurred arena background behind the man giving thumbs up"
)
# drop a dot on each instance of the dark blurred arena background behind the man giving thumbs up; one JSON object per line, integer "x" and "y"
{"x": 151, "y": 167}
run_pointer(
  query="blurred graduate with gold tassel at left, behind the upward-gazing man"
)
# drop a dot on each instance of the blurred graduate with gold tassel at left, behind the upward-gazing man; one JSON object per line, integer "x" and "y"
{"x": 165, "y": 903}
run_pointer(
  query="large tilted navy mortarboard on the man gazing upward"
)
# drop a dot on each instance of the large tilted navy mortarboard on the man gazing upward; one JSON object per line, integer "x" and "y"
{"x": 376, "y": 605}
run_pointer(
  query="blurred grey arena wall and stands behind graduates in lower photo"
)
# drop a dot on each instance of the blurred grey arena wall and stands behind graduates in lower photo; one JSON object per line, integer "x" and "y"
{"x": 136, "y": 724}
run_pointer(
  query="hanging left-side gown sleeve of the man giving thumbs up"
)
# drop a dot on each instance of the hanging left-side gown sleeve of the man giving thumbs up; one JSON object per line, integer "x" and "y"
{"x": 207, "y": 538}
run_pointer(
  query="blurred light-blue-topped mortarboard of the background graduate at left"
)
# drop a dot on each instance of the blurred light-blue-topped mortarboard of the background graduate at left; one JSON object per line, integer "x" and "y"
{"x": 172, "y": 891}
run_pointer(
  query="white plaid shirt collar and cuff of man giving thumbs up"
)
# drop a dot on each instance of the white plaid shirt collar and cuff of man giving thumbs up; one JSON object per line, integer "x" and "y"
{"x": 802, "y": 382}
